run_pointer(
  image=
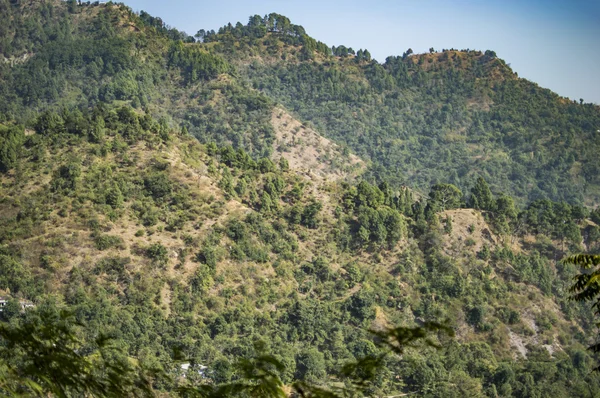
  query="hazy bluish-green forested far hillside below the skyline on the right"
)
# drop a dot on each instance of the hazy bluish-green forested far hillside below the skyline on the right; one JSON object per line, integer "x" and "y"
{"x": 427, "y": 118}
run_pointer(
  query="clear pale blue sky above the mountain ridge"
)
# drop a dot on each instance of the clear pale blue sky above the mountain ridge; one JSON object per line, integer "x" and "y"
{"x": 555, "y": 43}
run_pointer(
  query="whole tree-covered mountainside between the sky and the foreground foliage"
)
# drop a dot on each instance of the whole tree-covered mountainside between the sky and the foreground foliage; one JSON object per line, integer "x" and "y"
{"x": 259, "y": 192}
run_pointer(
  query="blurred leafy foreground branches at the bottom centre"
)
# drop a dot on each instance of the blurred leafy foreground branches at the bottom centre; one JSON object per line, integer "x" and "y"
{"x": 260, "y": 374}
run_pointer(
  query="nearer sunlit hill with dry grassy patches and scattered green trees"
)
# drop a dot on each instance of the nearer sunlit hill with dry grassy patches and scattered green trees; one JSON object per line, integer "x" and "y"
{"x": 169, "y": 245}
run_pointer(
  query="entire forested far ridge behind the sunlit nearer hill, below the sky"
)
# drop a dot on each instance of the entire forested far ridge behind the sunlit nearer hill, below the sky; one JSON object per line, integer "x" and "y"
{"x": 417, "y": 118}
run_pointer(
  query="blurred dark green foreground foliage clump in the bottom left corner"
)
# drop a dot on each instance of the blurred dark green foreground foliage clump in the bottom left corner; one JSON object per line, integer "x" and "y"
{"x": 44, "y": 357}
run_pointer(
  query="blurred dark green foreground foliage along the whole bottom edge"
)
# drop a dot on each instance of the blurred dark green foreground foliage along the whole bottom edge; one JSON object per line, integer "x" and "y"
{"x": 42, "y": 355}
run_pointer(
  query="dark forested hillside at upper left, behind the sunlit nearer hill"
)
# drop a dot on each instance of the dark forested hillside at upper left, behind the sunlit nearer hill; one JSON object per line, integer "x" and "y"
{"x": 80, "y": 56}
